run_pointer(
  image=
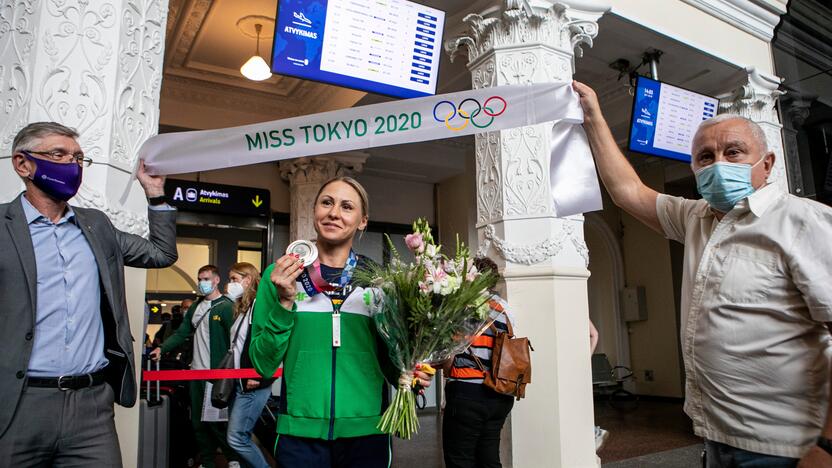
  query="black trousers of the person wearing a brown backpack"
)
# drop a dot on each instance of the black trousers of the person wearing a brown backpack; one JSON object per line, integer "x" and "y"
{"x": 471, "y": 424}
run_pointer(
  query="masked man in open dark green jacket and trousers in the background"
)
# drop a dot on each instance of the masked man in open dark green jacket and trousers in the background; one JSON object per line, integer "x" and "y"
{"x": 209, "y": 321}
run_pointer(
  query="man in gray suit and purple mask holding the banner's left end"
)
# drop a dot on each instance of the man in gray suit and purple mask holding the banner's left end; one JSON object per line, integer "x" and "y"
{"x": 68, "y": 352}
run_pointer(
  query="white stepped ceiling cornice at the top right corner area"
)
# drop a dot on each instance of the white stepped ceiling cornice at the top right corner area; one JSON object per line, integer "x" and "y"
{"x": 756, "y": 17}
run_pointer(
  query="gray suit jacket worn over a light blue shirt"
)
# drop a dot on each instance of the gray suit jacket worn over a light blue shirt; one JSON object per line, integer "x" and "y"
{"x": 113, "y": 250}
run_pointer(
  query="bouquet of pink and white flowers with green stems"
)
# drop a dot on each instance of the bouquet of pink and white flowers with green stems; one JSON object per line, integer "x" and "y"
{"x": 426, "y": 311}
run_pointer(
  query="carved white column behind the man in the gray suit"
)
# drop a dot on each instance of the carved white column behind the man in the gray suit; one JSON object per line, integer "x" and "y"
{"x": 95, "y": 66}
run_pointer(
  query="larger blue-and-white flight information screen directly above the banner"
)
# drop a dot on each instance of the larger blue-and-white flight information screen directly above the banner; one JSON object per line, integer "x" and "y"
{"x": 387, "y": 47}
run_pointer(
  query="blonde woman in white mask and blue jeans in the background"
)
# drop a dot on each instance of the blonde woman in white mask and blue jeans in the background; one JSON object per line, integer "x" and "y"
{"x": 252, "y": 394}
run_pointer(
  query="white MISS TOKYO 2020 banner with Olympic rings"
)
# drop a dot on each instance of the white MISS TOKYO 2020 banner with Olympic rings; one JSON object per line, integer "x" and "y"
{"x": 572, "y": 174}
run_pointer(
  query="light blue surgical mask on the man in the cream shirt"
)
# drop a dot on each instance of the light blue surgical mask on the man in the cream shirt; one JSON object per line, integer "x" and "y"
{"x": 724, "y": 184}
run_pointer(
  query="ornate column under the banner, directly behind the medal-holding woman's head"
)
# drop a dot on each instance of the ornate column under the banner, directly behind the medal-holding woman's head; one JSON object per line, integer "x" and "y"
{"x": 305, "y": 176}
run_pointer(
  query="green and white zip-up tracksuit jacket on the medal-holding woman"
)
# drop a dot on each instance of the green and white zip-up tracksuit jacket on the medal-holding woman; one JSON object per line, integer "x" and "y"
{"x": 328, "y": 392}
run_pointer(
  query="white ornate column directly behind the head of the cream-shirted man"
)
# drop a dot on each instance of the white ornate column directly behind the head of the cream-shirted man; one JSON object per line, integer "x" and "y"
{"x": 754, "y": 98}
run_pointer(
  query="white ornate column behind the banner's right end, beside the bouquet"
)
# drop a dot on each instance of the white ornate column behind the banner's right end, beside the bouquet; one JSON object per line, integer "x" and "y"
{"x": 543, "y": 259}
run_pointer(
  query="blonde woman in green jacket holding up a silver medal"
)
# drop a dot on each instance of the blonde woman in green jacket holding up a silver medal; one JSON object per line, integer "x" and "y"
{"x": 316, "y": 322}
